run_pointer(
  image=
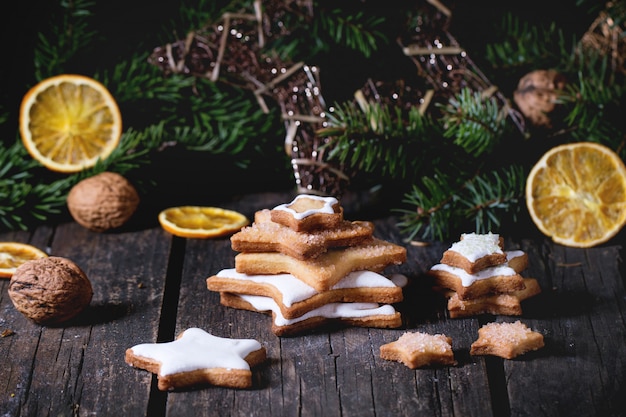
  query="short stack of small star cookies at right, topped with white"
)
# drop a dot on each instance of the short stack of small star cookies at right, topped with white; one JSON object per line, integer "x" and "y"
{"x": 479, "y": 277}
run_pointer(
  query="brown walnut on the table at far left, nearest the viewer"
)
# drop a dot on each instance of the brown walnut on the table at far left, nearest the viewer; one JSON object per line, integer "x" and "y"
{"x": 50, "y": 290}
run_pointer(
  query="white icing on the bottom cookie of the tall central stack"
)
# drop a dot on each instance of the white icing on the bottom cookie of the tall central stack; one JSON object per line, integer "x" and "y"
{"x": 330, "y": 311}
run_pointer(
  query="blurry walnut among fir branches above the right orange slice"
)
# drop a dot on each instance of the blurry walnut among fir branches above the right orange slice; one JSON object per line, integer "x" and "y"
{"x": 537, "y": 96}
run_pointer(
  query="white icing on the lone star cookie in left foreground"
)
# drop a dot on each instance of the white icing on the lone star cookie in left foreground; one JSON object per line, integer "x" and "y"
{"x": 196, "y": 349}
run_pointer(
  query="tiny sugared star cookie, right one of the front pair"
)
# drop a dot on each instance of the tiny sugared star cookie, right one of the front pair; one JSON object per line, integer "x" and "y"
{"x": 507, "y": 340}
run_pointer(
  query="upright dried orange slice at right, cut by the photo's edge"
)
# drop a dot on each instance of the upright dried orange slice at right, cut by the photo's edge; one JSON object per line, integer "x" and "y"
{"x": 576, "y": 194}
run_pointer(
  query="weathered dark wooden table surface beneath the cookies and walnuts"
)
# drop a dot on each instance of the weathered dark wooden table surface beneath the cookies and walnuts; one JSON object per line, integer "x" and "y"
{"x": 150, "y": 286}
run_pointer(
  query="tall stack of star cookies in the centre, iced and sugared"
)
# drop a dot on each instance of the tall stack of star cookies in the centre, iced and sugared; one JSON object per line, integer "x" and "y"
{"x": 306, "y": 265}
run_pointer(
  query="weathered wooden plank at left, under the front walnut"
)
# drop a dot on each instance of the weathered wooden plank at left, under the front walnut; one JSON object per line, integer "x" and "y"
{"x": 79, "y": 367}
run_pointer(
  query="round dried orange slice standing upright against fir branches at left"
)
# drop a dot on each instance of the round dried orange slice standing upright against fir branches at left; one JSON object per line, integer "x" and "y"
{"x": 69, "y": 122}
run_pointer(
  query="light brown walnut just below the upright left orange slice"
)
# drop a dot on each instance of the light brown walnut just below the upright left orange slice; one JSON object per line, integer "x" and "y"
{"x": 102, "y": 202}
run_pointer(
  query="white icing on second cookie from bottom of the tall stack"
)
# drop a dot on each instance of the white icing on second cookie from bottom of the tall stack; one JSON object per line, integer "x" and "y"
{"x": 294, "y": 290}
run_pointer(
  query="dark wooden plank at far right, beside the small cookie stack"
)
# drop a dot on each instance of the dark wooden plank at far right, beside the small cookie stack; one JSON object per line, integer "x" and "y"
{"x": 581, "y": 370}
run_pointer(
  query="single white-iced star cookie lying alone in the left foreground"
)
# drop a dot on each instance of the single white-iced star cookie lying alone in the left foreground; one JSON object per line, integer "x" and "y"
{"x": 197, "y": 357}
